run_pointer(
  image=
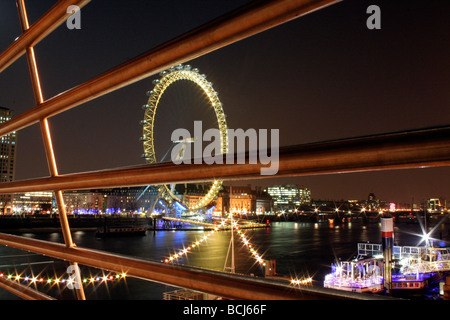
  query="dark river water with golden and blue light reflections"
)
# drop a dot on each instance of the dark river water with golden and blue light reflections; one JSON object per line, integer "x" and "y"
{"x": 299, "y": 248}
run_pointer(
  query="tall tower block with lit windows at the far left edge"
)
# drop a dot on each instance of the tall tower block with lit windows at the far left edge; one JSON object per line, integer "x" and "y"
{"x": 7, "y": 161}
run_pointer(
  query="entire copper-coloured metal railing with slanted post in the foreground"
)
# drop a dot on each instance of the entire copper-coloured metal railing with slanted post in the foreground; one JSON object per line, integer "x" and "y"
{"x": 401, "y": 150}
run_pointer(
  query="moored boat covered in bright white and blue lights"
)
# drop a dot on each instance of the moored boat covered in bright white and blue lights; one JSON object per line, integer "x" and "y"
{"x": 412, "y": 268}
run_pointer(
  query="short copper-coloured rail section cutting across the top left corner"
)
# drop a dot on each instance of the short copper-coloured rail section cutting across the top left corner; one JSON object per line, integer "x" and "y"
{"x": 38, "y": 31}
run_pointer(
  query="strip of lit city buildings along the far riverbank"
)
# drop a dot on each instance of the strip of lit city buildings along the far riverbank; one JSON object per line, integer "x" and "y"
{"x": 289, "y": 197}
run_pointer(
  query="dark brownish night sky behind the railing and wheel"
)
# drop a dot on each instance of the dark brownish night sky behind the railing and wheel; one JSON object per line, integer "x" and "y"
{"x": 320, "y": 77}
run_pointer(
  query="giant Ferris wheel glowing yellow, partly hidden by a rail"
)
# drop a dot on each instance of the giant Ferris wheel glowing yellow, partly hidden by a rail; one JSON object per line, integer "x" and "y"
{"x": 167, "y": 78}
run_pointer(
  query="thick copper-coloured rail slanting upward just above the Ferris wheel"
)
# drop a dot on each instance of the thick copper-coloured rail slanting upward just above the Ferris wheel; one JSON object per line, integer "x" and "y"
{"x": 237, "y": 25}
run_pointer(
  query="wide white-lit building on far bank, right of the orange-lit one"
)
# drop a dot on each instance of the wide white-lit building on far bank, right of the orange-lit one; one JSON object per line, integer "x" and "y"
{"x": 288, "y": 197}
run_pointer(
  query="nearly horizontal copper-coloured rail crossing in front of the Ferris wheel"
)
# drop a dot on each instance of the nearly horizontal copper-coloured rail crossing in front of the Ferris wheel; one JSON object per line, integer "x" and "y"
{"x": 411, "y": 149}
